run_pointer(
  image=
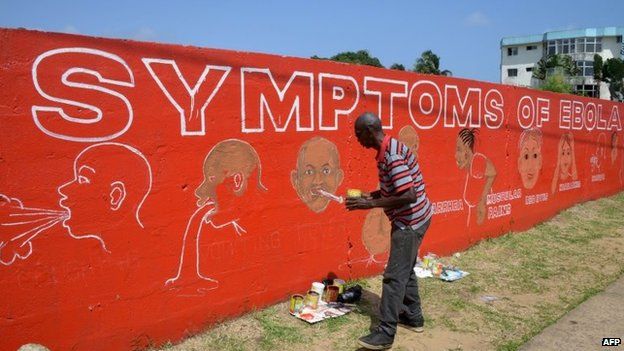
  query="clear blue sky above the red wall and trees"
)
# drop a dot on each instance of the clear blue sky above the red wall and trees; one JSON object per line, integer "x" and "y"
{"x": 465, "y": 34}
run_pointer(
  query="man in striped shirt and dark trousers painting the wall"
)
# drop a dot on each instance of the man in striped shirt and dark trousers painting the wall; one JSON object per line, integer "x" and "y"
{"x": 403, "y": 198}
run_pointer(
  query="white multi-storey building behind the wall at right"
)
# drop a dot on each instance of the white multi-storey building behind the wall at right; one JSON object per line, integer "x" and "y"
{"x": 519, "y": 55}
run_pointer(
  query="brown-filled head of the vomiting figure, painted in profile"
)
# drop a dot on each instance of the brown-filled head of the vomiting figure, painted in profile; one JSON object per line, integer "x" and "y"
{"x": 230, "y": 160}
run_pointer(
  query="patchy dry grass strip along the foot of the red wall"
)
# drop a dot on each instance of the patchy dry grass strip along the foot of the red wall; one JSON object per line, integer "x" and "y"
{"x": 535, "y": 277}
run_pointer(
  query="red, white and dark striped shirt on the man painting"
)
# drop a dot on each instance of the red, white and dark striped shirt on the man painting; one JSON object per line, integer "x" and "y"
{"x": 399, "y": 171}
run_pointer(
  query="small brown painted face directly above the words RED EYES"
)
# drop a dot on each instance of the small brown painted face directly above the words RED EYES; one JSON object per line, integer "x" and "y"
{"x": 530, "y": 157}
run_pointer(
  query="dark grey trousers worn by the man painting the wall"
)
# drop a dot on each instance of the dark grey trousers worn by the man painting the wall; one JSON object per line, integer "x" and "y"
{"x": 400, "y": 287}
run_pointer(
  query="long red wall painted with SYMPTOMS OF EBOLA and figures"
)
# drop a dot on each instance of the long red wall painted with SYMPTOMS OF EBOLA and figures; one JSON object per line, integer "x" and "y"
{"x": 151, "y": 190}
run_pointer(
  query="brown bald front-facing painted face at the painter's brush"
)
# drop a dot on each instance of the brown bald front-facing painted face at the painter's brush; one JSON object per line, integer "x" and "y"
{"x": 318, "y": 168}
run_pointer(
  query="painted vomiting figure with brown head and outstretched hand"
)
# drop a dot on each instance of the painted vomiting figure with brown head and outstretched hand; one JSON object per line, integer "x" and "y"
{"x": 232, "y": 162}
